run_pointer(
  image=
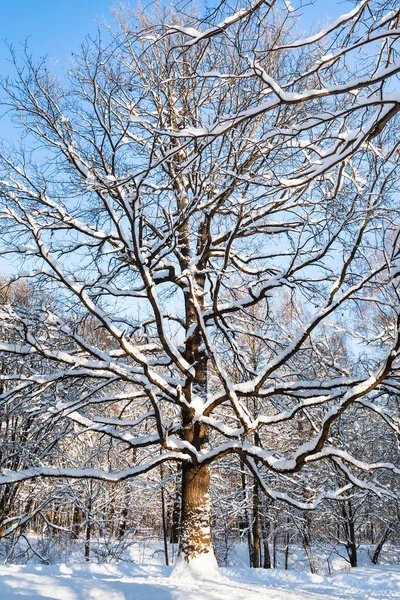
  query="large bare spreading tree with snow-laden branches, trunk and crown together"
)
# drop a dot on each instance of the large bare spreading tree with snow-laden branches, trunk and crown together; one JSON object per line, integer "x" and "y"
{"x": 184, "y": 176}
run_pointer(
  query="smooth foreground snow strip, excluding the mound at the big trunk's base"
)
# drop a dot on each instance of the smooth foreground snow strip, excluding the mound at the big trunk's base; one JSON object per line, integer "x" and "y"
{"x": 152, "y": 582}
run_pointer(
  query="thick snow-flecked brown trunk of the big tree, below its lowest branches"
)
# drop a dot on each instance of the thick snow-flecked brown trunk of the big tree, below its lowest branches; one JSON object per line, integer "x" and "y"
{"x": 196, "y": 512}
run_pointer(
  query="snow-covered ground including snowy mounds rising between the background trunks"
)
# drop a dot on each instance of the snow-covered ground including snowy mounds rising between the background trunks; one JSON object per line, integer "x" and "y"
{"x": 141, "y": 575}
